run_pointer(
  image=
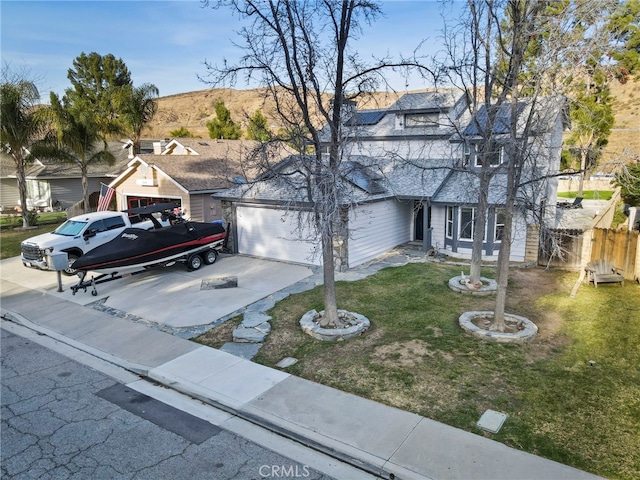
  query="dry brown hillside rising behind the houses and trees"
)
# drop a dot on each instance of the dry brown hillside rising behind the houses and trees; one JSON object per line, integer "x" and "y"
{"x": 193, "y": 110}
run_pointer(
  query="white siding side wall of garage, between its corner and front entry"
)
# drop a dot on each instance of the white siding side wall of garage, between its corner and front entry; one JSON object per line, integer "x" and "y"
{"x": 376, "y": 228}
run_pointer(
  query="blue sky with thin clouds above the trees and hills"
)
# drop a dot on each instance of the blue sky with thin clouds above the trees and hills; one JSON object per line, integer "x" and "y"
{"x": 167, "y": 42}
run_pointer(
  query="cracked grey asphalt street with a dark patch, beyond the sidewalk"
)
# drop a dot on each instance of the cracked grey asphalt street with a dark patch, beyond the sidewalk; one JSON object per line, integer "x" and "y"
{"x": 62, "y": 419}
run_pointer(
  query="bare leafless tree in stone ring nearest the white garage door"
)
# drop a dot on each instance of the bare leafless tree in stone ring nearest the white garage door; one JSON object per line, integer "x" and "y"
{"x": 301, "y": 51}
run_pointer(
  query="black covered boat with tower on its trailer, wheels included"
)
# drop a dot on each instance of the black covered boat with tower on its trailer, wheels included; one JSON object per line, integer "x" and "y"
{"x": 136, "y": 250}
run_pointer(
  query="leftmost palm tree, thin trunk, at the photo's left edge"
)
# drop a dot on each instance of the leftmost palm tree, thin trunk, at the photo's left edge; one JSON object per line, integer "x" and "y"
{"x": 21, "y": 129}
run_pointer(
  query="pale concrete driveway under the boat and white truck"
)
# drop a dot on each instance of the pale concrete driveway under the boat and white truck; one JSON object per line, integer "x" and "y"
{"x": 172, "y": 296}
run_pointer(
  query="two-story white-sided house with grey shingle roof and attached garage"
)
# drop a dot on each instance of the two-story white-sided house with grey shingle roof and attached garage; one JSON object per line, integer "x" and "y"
{"x": 406, "y": 177}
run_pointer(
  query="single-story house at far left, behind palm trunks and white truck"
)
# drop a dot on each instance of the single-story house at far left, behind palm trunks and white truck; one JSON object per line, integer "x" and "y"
{"x": 55, "y": 185}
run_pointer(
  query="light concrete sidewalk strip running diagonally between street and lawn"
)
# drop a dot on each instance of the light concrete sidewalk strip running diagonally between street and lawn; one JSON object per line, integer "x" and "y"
{"x": 381, "y": 440}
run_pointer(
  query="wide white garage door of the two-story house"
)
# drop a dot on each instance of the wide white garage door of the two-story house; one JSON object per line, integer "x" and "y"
{"x": 273, "y": 233}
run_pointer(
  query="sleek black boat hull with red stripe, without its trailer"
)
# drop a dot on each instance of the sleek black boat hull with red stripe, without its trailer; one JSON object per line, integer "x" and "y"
{"x": 137, "y": 248}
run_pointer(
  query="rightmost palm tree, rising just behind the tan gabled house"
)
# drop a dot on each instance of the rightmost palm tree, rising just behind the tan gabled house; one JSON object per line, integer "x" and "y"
{"x": 137, "y": 106}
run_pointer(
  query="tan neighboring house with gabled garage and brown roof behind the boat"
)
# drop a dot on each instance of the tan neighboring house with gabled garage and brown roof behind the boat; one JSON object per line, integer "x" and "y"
{"x": 186, "y": 172}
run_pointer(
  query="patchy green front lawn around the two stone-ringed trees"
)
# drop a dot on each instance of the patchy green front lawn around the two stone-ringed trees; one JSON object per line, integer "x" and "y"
{"x": 415, "y": 357}
